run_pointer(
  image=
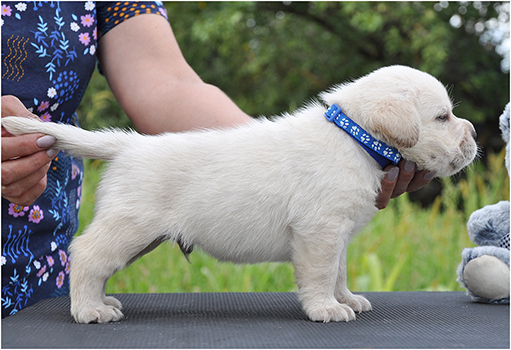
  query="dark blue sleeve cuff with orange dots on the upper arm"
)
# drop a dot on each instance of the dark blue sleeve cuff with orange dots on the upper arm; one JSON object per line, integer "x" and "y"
{"x": 109, "y": 14}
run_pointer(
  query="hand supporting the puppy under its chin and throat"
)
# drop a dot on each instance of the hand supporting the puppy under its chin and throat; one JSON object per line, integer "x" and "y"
{"x": 400, "y": 179}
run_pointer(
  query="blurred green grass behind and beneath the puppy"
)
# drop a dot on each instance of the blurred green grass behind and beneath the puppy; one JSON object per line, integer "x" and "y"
{"x": 405, "y": 248}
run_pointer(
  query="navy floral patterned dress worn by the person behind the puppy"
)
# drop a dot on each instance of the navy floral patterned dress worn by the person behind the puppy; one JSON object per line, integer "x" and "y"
{"x": 48, "y": 57}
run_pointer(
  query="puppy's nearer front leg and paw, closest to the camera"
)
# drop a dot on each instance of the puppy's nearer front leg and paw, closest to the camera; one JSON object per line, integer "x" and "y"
{"x": 316, "y": 259}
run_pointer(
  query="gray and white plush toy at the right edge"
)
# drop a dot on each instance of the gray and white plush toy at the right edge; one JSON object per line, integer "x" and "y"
{"x": 484, "y": 270}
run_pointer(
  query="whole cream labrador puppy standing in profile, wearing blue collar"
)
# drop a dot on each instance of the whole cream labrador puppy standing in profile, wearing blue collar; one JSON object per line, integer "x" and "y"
{"x": 293, "y": 189}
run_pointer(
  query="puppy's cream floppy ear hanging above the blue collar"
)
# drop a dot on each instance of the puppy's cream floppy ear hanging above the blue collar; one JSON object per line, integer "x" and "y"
{"x": 396, "y": 118}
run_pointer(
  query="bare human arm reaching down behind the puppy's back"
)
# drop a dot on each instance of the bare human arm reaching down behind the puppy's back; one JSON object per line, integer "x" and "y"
{"x": 155, "y": 85}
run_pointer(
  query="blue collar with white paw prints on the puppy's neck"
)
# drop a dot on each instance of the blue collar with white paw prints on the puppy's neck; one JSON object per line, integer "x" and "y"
{"x": 381, "y": 152}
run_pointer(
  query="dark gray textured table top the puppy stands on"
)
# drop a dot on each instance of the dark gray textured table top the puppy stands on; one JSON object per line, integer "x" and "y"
{"x": 264, "y": 320}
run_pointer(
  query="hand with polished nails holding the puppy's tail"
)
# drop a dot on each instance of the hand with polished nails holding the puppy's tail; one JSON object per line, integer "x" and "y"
{"x": 25, "y": 159}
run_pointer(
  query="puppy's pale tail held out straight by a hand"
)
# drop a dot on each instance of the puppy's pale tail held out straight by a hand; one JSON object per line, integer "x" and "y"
{"x": 105, "y": 144}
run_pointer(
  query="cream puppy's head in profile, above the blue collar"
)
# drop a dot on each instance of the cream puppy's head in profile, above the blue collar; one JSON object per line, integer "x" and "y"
{"x": 412, "y": 111}
